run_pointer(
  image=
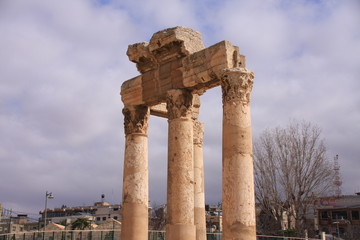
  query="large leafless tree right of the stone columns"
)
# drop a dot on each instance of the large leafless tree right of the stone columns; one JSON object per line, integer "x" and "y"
{"x": 291, "y": 169}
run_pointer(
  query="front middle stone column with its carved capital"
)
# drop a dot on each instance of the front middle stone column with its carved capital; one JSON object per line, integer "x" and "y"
{"x": 180, "y": 186}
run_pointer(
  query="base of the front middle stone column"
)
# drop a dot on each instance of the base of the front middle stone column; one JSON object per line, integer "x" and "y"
{"x": 180, "y": 232}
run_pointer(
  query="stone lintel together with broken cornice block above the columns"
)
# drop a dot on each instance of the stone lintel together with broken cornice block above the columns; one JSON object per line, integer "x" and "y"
{"x": 177, "y": 61}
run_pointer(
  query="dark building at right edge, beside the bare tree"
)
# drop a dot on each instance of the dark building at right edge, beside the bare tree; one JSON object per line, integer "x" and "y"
{"x": 338, "y": 215}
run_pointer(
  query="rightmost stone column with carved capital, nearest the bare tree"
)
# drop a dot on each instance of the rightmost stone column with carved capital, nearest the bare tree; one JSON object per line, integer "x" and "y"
{"x": 237, "y": 174}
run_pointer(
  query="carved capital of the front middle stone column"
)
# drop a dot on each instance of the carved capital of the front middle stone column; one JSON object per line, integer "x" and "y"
{"x": 179, "y": 104}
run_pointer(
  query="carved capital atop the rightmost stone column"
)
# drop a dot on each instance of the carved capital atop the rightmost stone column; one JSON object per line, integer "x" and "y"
{"x": 236, "y": 85}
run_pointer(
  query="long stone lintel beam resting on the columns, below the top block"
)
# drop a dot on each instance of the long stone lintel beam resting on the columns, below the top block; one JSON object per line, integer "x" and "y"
{"x": 197, "y": 72}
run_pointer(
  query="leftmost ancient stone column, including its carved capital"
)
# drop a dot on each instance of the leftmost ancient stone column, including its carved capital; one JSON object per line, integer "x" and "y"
{"x": 135, "y": 182}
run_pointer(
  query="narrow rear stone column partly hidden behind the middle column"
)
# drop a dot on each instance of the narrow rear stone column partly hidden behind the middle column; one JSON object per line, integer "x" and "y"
{"x": 199, "y": 202}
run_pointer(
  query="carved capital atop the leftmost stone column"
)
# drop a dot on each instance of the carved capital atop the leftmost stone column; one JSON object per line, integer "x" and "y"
{"x": 136, "y": 119}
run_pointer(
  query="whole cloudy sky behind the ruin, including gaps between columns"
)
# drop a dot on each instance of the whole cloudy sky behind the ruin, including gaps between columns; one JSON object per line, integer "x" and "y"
{"x": 62, "y": 64}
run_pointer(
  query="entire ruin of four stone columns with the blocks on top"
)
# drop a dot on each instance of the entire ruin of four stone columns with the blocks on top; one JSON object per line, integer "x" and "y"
{"x": 176, "y": 69}
